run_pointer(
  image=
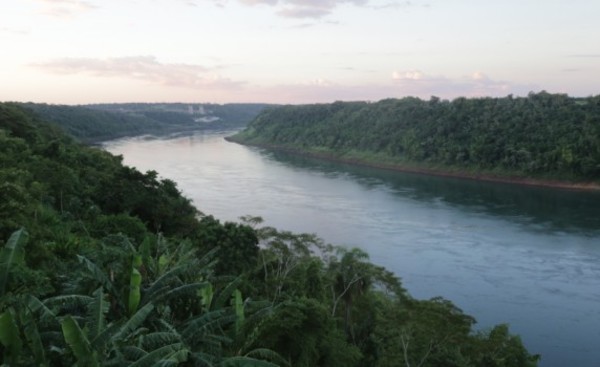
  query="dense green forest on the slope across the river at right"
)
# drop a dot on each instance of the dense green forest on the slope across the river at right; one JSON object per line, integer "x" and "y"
{"x": 545, "y": 136}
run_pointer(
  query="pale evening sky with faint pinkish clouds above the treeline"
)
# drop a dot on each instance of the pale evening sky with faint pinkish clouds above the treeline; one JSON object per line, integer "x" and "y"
{"x": 294, "y": 51}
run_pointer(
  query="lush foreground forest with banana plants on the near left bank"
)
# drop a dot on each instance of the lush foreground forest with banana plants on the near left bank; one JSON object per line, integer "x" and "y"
{"x": 103, "y": 265}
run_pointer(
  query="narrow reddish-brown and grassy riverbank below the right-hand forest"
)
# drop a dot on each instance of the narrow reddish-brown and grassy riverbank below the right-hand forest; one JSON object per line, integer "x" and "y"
{"x": 454, "y": 173}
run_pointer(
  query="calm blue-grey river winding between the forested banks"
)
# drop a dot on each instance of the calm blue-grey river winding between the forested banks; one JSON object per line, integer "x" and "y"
{"x": 529, "y": 257}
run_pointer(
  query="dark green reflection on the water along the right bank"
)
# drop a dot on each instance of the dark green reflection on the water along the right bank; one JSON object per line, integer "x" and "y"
{"x": 550, "y": 209}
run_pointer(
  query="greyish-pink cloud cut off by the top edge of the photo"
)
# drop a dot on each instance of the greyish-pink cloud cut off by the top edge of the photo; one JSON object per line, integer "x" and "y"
{"x": 312, "y": 8}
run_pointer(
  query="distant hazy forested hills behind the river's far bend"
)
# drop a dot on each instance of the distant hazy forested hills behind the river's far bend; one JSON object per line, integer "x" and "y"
{"x": 100, "y": 122}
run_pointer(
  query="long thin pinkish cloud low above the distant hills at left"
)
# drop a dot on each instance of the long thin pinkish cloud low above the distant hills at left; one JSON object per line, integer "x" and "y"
{"x": 144, "y": 68}
